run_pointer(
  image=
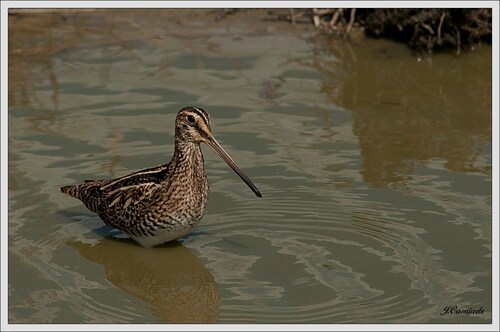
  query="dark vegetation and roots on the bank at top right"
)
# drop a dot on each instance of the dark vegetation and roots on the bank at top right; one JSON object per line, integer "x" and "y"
{"x": 424, "y": 30}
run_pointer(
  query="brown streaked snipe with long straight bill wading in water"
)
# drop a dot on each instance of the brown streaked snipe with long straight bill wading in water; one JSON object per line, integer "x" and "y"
{"x": 162, "y": 203}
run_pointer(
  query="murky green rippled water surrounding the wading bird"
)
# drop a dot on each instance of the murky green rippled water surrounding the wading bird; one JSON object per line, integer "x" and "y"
{"x": 375, "y": 169}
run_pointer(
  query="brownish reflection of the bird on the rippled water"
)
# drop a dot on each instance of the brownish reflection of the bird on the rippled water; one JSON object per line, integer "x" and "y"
{"x": 174, "y": 281}
